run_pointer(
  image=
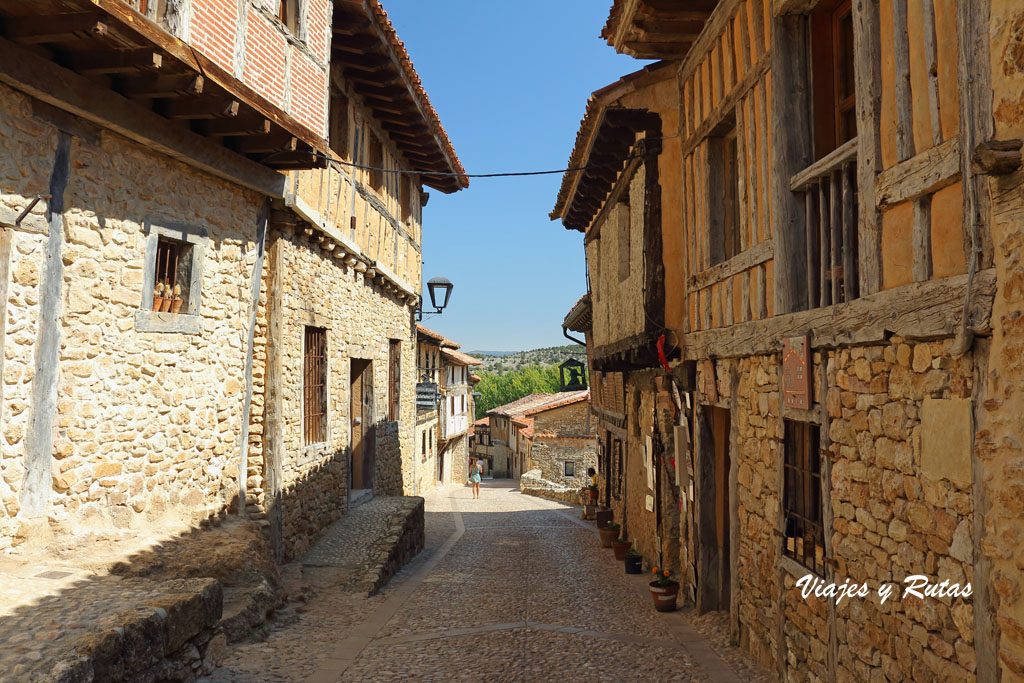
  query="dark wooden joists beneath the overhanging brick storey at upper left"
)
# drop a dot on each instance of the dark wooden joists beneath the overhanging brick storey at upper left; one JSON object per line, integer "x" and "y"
{"x": 119, "y": 57}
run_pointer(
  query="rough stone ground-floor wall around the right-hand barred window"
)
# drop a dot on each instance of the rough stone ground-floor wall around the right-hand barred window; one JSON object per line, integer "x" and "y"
{"x": 897, "y": 503}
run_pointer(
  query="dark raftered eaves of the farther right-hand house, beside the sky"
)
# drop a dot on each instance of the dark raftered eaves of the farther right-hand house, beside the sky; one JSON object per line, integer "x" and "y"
{"x": 608, "y": 134}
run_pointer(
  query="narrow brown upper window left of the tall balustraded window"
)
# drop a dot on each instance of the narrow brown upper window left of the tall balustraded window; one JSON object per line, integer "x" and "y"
{"x": 724, "y": 186}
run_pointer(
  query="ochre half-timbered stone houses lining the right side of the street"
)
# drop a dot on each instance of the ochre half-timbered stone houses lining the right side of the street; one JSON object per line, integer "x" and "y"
{"x": 832, "y": 388}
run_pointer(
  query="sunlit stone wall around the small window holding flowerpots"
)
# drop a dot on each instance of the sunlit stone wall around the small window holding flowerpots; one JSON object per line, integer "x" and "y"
{"x": 147, "y": 423}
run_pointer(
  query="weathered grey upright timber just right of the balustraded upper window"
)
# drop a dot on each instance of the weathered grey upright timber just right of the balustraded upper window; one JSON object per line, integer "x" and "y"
{"x": 868, "y": 80}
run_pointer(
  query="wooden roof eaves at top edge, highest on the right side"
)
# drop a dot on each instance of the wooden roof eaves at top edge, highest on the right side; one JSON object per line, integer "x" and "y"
{"x": 656, "y": 29}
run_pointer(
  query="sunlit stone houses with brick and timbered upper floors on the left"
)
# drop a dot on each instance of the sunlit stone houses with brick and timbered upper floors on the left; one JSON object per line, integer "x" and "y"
{"x": 203, "y": 301}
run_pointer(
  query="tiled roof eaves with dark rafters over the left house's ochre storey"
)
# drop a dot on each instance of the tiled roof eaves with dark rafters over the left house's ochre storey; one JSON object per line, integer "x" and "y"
{"x": 376, "y": 63}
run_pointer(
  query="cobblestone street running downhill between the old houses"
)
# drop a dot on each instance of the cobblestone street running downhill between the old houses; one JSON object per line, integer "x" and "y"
{"x": 509, "y": 587}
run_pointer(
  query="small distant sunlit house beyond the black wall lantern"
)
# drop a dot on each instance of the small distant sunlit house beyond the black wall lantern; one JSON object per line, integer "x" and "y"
{"x": 445, "y": 404}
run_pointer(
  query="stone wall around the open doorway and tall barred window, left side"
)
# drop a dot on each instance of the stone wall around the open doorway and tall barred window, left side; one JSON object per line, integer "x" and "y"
{"x": 318, "y": 290}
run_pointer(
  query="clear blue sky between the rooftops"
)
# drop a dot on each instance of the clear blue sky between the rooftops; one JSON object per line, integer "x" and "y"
{"x": 510, "y": 82}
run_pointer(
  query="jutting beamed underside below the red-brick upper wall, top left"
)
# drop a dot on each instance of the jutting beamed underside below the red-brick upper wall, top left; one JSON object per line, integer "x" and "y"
{"x": 126, "y": 55}
